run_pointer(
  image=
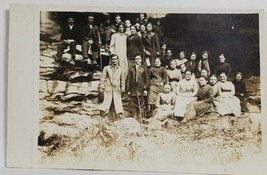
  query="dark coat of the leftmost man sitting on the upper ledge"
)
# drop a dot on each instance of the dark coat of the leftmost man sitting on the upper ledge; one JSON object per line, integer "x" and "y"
{"x": 67, "y": 33}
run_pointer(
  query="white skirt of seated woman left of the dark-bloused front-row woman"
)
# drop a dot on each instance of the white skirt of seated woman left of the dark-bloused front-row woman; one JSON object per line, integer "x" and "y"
{"x": 181, "y": 105}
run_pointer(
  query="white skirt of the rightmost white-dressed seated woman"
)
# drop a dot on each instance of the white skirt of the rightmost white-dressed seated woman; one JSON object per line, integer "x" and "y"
{"x": 226, "y": 106}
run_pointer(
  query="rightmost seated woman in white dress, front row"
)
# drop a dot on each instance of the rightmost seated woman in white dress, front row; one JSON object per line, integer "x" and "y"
{"x": 226, "y": 103}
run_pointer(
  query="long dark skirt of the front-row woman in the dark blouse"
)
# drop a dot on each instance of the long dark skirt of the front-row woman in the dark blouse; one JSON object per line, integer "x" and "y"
{"x": 197, "y": 109}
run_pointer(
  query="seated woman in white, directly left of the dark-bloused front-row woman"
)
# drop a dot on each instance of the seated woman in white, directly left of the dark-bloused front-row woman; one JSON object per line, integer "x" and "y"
{"x": 186, "y": 92}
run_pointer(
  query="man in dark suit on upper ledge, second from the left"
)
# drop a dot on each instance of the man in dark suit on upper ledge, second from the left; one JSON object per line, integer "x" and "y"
{"x": 91, "y": 38}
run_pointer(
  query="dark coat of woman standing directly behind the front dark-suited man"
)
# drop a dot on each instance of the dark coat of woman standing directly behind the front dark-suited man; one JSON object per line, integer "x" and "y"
{"x": 134, "y": 46}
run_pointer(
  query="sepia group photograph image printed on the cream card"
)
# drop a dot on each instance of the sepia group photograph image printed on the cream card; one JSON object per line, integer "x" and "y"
{"x": 148, "y": 91}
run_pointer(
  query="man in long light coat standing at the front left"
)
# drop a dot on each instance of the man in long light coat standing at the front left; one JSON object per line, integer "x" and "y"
{"x": 112, "y": 86}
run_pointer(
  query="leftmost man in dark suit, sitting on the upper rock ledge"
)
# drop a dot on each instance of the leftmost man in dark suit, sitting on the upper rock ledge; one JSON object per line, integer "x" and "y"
{"x": 69, "y": 37}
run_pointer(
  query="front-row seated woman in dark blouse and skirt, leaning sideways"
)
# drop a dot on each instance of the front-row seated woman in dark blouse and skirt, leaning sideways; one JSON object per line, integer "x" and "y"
{"x": 203, "y": 104}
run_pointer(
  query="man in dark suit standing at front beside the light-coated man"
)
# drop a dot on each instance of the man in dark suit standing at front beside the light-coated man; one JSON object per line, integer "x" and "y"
{"x": 136, "y": 86}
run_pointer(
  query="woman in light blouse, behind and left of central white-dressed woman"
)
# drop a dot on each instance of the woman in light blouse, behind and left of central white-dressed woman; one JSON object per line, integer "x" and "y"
{"x": 174, "y": 75}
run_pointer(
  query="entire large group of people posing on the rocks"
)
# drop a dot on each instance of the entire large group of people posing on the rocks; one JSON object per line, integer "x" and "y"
{"x": 144, "y": 68}
